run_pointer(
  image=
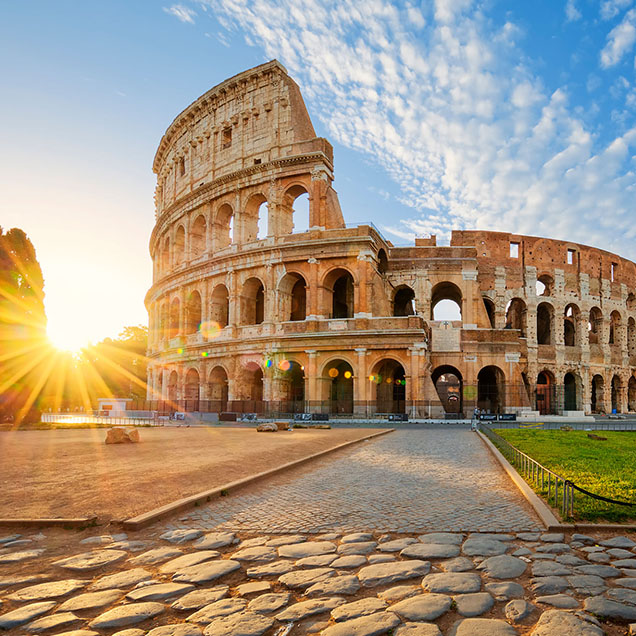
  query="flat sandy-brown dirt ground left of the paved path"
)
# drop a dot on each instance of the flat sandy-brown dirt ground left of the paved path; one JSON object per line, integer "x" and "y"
{"x": 72, "y": 473}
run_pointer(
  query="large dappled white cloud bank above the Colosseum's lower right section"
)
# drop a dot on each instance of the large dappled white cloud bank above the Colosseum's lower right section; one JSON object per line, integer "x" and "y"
{"x": 457, "y": 120}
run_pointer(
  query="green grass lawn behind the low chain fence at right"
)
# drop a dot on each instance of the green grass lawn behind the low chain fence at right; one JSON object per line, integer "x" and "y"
{"x": 606, "y": 468}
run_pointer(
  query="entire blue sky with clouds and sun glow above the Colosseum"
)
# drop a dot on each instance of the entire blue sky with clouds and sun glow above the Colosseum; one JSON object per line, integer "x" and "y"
{"x": 443, "y": 114}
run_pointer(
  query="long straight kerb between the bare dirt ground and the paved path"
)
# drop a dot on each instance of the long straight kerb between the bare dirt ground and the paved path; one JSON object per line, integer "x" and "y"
{"x": 147, "y": 518}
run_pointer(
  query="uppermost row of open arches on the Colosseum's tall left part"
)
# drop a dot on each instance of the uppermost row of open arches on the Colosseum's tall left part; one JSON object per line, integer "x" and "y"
{"x": 208, "y": 233}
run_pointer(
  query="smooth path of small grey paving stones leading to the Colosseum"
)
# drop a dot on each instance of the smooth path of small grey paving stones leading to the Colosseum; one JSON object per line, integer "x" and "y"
{"x": 407, "y": 481}
